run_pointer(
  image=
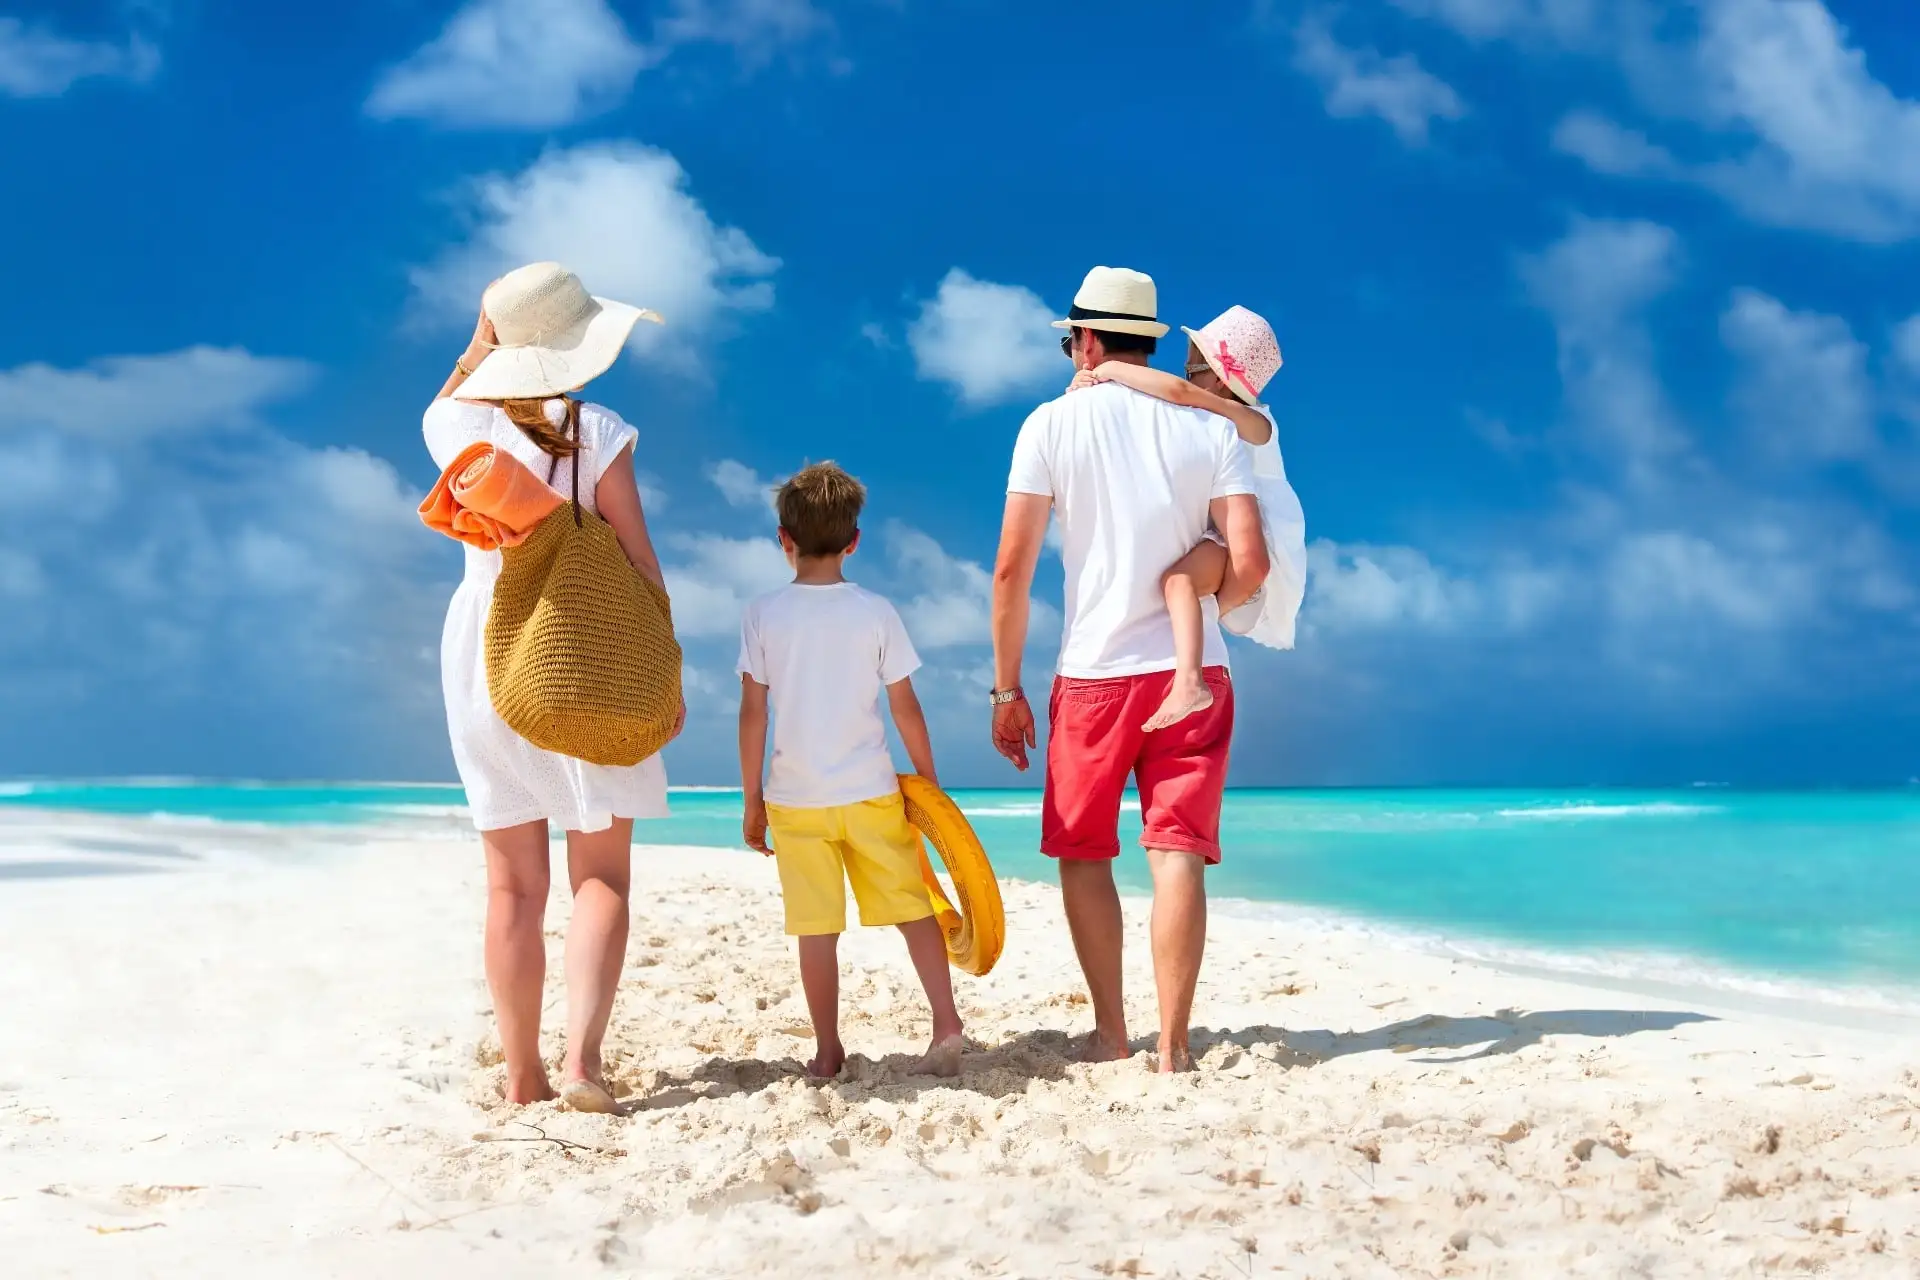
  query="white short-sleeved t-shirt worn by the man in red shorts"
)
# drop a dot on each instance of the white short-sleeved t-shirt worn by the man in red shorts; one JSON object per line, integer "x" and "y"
{"x": 1132, "y": 479}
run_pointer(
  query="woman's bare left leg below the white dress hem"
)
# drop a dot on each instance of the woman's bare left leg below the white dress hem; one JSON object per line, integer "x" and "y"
{"x": 517, "y": 951}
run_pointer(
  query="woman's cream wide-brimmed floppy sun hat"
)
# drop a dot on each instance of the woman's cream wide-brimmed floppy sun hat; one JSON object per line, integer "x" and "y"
{"x": 552, "y": 337}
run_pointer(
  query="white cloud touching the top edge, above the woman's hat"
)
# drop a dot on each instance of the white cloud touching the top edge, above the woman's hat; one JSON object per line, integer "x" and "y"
{"x": 516, "y": 64}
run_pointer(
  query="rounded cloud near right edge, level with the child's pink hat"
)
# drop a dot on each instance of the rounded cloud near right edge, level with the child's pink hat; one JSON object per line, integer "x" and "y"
{"x": 1804, "y": 387}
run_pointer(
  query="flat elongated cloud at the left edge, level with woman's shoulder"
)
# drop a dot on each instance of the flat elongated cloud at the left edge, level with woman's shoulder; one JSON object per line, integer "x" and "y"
{"x": 130, "y": 396}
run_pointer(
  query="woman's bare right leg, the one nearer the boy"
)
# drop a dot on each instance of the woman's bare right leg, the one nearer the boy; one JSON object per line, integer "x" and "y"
{"x": 598, "y": 865}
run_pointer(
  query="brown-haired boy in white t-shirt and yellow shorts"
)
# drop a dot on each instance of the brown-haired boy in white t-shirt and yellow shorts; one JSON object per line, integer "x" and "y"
{"x": 821, "y": 652}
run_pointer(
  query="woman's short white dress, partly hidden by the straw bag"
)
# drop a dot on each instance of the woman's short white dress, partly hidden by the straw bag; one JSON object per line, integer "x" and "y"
{"x": 510, "y": 780}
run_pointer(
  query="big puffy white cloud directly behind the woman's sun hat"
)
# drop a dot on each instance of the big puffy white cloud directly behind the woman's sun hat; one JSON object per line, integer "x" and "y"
{"x": 621, "y": 218}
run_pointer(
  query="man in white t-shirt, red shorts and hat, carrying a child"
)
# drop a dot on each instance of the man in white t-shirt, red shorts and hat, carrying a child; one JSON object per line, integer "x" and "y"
{"x": 1134, "y": 483}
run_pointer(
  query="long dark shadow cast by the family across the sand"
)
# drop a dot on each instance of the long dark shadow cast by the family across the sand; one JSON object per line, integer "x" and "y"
{"x": 1015, "y": 1064}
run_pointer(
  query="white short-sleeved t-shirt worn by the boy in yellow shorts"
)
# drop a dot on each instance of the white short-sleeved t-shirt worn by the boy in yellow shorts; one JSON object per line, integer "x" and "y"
{"x": 827, "y": 653}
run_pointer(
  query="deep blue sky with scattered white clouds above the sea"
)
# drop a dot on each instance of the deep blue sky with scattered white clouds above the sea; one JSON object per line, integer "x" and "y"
{"x": 1602, "y": 331}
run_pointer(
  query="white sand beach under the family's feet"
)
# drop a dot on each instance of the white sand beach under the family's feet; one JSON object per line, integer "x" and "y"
{"x": 268, "y": 1058}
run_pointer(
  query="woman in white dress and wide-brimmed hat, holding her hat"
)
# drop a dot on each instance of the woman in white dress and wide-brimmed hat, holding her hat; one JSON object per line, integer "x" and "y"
{"x": 540, "y": 337}
